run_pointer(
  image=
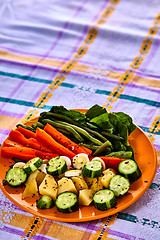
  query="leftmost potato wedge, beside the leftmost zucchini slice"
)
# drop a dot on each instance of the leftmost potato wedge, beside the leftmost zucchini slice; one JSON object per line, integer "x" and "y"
{"x": 31, "y": 189}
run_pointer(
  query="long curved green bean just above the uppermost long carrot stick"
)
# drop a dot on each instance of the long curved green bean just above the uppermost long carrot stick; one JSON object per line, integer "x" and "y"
{"x": 63, "y": 126}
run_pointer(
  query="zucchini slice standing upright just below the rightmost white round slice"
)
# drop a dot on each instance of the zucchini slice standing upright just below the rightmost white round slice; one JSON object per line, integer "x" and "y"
{"x": 92, "y": 169}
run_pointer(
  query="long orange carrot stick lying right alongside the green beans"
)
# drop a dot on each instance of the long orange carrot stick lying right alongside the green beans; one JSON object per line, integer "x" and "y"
{"x": 65, "y": 141}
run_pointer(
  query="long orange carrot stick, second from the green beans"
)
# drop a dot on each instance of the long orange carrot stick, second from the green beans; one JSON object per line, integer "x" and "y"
{"x": 51, "y": 144}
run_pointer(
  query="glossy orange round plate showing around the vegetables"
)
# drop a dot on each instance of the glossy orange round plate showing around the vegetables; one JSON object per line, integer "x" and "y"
{"x": 145, "y": 156}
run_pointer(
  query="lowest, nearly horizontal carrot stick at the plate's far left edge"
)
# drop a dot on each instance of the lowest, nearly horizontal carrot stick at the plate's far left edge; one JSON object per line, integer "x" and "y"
{"x": 22, "y": 153}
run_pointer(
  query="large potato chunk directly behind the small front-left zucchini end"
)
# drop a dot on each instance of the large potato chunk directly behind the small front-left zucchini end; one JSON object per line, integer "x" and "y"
{"x": 48, "y": 187}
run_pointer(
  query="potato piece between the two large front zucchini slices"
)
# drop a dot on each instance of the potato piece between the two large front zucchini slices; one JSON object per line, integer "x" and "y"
{"x": 85, "y": 197}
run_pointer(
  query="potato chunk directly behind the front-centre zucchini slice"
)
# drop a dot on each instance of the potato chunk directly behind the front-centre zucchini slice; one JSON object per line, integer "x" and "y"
{"x": 66, "y": 184}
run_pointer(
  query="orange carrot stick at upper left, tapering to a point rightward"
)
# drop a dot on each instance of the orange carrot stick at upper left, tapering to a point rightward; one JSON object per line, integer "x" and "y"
{"x": 17, "y": 136}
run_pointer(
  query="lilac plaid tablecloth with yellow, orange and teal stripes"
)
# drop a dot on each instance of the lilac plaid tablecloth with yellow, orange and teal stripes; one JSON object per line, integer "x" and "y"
{"x": 77, "y": 54}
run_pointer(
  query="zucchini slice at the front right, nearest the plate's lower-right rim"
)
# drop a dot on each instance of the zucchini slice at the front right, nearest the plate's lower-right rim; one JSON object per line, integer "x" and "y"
{"x": 104, "y": 199}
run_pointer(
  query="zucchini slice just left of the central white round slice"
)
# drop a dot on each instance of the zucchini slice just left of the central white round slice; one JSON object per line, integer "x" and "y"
{"x": 56, "y": 166}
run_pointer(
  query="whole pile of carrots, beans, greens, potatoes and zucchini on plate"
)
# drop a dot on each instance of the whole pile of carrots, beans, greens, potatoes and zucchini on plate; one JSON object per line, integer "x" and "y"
{"x": 69, "y": 158}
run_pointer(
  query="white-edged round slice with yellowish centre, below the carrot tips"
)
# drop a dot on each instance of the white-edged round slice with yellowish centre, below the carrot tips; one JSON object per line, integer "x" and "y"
{"x": 79, "y": 160}
